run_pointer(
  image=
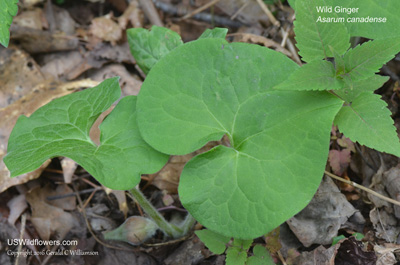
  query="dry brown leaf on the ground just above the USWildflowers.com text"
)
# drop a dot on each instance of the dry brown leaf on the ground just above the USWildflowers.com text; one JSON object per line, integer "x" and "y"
{"x": 47, "y": 219}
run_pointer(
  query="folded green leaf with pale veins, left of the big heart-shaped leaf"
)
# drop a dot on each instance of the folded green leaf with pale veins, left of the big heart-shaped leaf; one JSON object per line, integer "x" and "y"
{"x": 61, "y": 128}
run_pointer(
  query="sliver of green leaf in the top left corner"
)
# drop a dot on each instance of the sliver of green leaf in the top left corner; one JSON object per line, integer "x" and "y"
{"x": 8, "y": 9}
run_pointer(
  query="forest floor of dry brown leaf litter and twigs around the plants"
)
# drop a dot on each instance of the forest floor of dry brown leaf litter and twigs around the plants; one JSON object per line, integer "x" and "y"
{"x": 59, "y": 47}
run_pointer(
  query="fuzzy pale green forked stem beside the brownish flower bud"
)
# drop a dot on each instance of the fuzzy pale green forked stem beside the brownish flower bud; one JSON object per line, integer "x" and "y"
{"x": 167, "y": 228}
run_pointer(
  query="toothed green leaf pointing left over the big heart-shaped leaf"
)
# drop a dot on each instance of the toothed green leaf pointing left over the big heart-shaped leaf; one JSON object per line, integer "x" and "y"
{"x": 316, "y": 75}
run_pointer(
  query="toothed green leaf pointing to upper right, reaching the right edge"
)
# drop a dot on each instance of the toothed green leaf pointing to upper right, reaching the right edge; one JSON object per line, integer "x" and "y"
{"x": 366, "y": 59}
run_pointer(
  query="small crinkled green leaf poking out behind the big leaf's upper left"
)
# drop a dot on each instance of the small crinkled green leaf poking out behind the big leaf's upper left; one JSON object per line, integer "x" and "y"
{"x": 147, "y": 47}
